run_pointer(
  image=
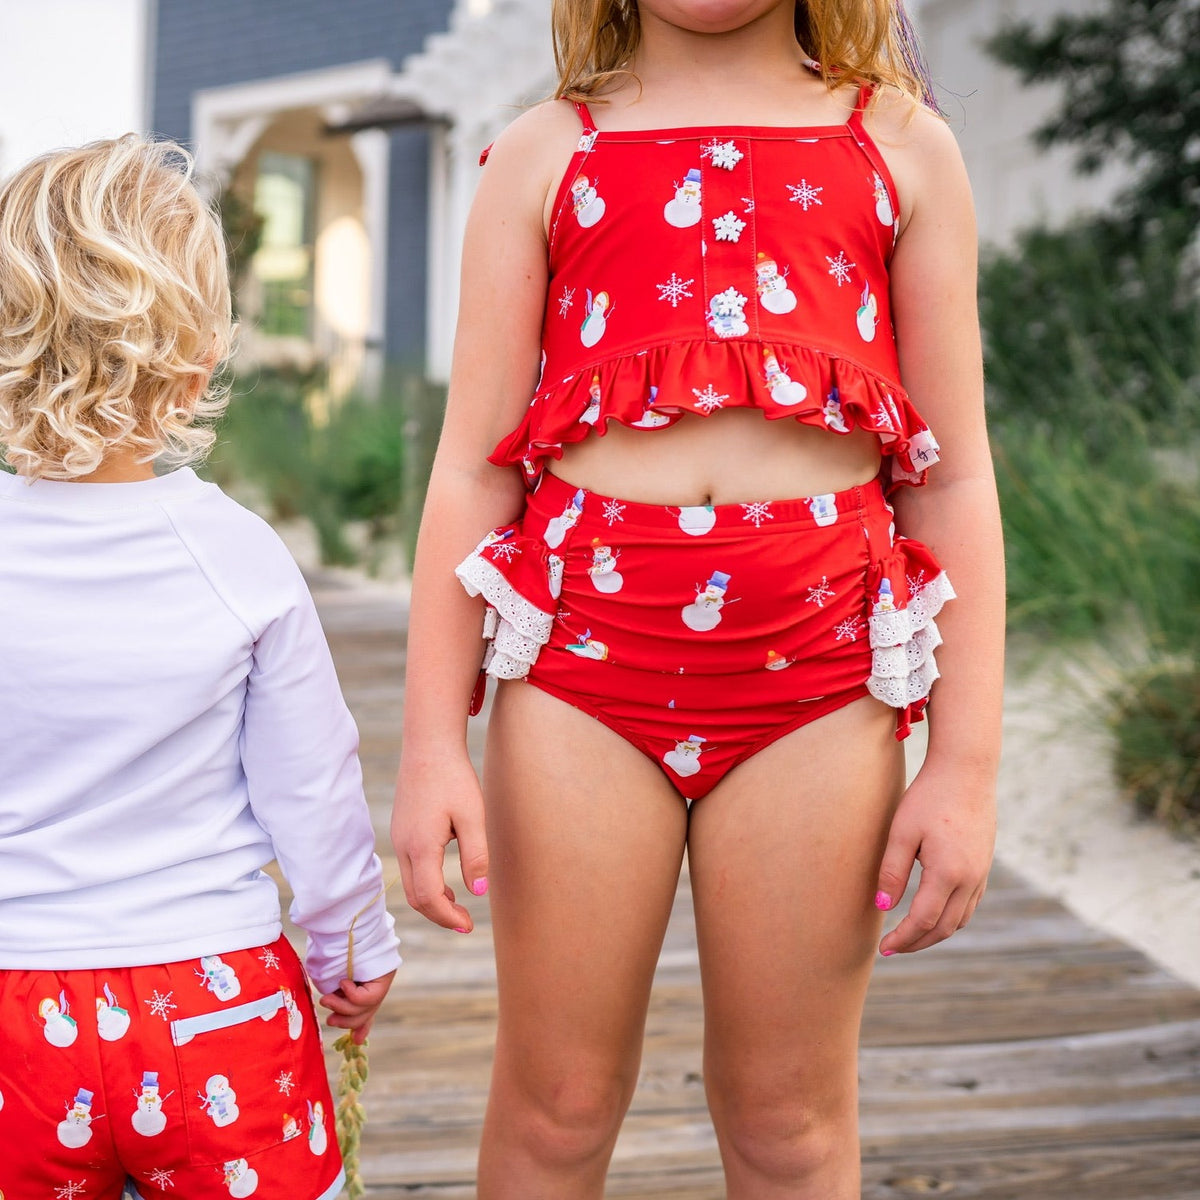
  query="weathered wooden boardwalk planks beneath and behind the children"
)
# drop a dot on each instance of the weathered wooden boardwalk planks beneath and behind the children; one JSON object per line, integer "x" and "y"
{"x": 1030, "y": 1059}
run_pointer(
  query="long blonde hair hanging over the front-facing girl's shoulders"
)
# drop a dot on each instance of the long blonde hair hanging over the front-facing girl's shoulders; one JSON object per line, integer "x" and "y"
{"x": 854, "y": 41}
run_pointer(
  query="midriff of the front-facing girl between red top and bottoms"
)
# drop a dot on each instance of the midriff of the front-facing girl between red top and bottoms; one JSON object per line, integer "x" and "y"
{"x": 734, "y": 457}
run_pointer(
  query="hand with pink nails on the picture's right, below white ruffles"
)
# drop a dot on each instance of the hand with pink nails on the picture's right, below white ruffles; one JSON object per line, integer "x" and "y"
{"x": 947, "y": 823}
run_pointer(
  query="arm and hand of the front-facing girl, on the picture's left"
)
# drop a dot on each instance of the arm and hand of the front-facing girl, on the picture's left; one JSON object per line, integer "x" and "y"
{"x": 495, "y": 371}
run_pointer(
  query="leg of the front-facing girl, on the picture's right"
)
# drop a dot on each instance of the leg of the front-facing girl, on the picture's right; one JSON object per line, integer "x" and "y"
{"x": 784, "y": 857}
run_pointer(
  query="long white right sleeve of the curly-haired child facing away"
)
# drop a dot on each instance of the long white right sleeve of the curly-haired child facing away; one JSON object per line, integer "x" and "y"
{"x": 299, "y": 751}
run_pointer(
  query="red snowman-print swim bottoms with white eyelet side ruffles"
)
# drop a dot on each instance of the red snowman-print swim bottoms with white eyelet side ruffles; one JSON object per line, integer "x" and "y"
{"x": 703, "y": 634}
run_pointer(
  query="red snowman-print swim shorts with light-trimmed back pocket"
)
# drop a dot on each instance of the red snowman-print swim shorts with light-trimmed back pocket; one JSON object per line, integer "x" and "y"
{"x": 201, "y": 1079}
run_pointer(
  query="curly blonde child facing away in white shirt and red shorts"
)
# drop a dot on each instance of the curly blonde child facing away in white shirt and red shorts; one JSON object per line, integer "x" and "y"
{"x": 171, "y": 723}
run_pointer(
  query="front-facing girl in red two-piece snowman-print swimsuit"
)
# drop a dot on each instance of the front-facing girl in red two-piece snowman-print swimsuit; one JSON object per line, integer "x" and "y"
{"x": 741, "y": 335}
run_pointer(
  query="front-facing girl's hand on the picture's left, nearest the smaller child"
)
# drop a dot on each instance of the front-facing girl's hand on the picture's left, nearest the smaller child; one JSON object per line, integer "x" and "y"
{"x": 439, "y": 803}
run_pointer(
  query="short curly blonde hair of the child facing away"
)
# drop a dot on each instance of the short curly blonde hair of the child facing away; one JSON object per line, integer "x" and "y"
{"x": 115, "y": 309}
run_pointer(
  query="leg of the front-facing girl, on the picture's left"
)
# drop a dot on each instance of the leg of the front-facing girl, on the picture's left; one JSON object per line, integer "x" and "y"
{"x": 586, "y": 839}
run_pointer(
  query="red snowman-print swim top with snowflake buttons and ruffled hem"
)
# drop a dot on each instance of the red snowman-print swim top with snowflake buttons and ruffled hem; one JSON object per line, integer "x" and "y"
{"x": 698, "y": 269}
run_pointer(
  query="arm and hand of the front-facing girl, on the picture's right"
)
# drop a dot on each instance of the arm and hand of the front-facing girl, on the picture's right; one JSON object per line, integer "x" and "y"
{"x": 947, "y": 818}
